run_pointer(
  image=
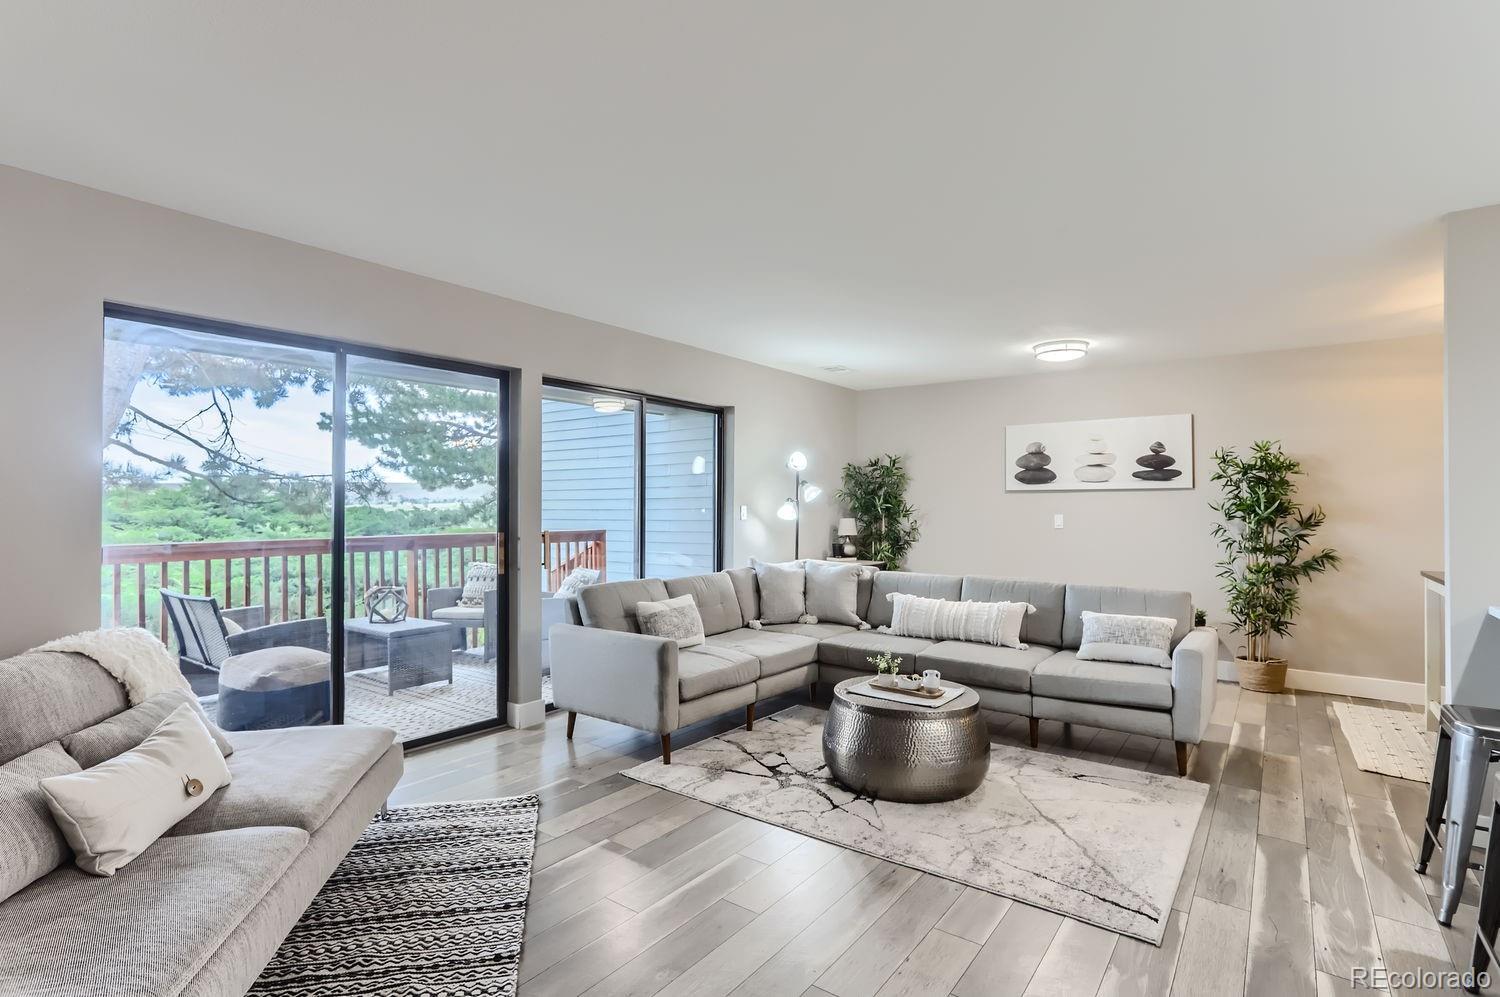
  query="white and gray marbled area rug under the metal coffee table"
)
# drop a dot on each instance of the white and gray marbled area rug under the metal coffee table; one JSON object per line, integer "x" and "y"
{"x": 1093, "y": 842}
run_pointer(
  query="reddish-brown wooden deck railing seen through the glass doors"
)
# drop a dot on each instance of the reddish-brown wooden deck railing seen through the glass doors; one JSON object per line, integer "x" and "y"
{"x": 293, "y": 579}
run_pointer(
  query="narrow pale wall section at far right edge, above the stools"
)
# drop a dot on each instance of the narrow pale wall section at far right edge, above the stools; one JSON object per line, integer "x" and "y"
{"x": 1472, "y": 319}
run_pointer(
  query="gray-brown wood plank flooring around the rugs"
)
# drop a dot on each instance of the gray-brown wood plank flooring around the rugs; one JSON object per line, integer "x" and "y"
{"x": 1301, "y": 872}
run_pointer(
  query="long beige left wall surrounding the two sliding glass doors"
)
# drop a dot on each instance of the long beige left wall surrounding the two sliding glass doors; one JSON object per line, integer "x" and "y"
{"x": 67, "y": 250}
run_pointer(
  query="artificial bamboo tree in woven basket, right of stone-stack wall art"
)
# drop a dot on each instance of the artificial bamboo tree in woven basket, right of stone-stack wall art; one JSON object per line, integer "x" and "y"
{"x": 1265, "y": 537}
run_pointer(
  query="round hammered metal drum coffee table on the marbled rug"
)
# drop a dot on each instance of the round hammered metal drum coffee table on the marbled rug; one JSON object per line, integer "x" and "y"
{"x": 907, "y": 753}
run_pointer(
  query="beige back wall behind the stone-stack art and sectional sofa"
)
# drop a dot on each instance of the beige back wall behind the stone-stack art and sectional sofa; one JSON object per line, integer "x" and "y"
{"x": 1367, "y": 422}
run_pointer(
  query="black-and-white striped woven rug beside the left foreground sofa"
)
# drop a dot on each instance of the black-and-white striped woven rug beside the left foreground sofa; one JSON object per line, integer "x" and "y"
{"x": 431, "y": 900}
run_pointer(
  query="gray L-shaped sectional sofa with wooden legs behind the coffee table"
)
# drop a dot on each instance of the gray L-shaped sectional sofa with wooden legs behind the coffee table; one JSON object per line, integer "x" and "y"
{"x": 607, "y": 668}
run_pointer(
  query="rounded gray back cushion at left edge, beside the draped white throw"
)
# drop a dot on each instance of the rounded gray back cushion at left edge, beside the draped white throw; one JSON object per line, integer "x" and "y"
{"x": 49, "y": 695}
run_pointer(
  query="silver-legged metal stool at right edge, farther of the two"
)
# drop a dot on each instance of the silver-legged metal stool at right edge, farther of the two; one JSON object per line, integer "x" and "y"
{"x": 1468, "y": 741}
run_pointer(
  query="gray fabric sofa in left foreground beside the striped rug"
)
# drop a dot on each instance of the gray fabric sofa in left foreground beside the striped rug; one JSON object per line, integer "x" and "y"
{"x": 206, "y": 906}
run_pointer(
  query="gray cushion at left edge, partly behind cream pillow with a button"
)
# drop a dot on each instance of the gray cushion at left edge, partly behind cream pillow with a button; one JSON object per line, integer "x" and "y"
{"x": 34, "y": 843}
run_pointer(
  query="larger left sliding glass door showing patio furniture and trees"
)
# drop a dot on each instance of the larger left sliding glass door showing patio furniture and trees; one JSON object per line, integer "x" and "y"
{"x": 314, "y": 528}
